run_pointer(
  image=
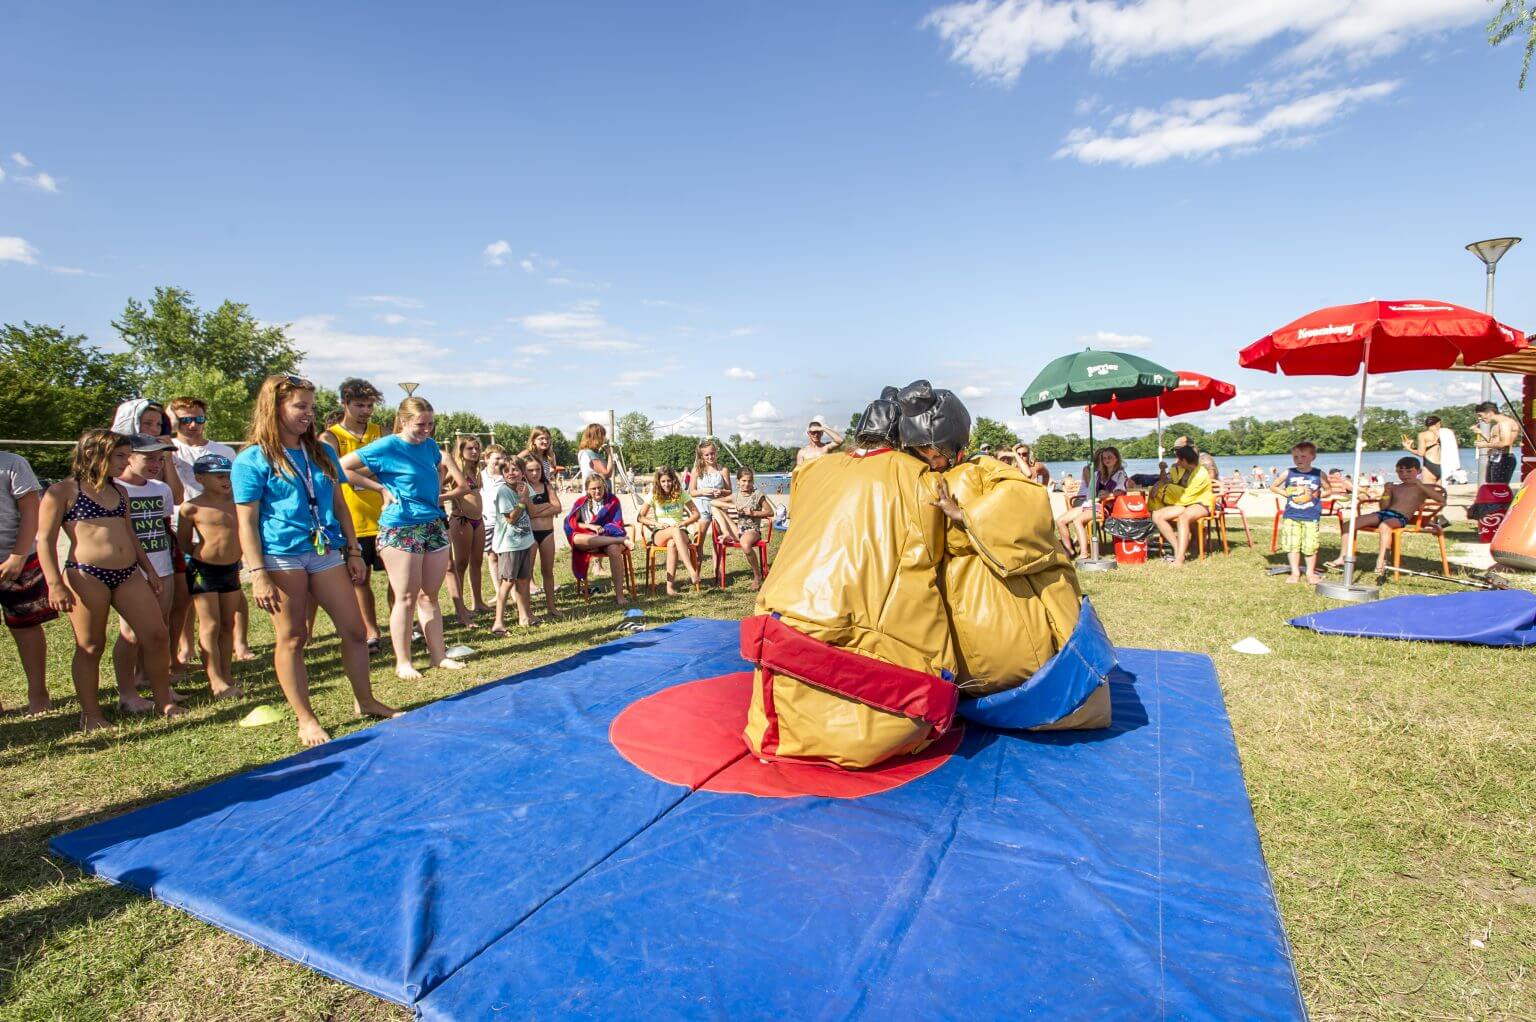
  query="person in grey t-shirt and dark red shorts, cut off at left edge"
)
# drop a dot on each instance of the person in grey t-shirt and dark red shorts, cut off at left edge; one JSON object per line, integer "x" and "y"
{"x": 24, "y": 594}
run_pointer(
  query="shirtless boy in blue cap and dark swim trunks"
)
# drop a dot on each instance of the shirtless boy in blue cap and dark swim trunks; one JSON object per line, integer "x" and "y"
{"x": 210, "y": 534}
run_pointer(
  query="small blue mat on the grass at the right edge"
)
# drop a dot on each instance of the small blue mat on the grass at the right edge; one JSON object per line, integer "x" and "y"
{"x": 1483, "y": 619}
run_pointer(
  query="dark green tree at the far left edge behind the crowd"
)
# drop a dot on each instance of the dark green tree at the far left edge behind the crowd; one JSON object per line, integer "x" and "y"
{"x": 56, "y": 385}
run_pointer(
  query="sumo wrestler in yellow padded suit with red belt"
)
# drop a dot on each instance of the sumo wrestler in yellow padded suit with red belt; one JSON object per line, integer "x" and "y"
{"x": 855, "y": 660}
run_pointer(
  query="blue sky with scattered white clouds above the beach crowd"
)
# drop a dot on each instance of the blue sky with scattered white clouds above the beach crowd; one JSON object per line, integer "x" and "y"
{"x": 545, "y": 211}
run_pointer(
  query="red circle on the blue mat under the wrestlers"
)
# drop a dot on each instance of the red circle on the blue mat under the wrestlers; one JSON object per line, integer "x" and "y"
{"x": 692, "y": 735}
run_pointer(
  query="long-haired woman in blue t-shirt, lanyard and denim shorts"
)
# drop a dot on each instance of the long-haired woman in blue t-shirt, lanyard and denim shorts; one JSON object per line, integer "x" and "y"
{"x": 299, "y": 543}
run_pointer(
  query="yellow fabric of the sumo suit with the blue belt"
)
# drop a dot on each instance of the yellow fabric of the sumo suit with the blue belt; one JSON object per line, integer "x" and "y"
{"x": 1010, "y": 588}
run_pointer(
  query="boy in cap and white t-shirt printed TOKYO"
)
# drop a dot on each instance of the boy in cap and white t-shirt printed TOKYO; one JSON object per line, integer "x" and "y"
{"x": 150, "y": 506}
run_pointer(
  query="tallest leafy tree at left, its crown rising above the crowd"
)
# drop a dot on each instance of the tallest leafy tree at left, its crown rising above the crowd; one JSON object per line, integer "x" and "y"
{"x": 171, "y": 336}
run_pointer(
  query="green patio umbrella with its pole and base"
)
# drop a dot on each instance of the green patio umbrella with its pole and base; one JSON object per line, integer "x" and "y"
{"x": 1093, "y": 377}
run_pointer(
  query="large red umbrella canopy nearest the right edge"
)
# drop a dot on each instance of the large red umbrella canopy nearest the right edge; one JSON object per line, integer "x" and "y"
{"x": 1403, "y": 336}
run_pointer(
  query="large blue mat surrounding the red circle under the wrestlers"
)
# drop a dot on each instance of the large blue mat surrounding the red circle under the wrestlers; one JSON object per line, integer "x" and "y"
{"x": 492, "y": 857}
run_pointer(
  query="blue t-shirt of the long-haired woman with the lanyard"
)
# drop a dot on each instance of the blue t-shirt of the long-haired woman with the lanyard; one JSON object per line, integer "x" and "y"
{"x": 297, "y": 508}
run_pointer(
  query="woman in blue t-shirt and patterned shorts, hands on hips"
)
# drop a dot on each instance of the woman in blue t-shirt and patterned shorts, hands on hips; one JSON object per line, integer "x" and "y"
{"x": 414, "y": 539}
